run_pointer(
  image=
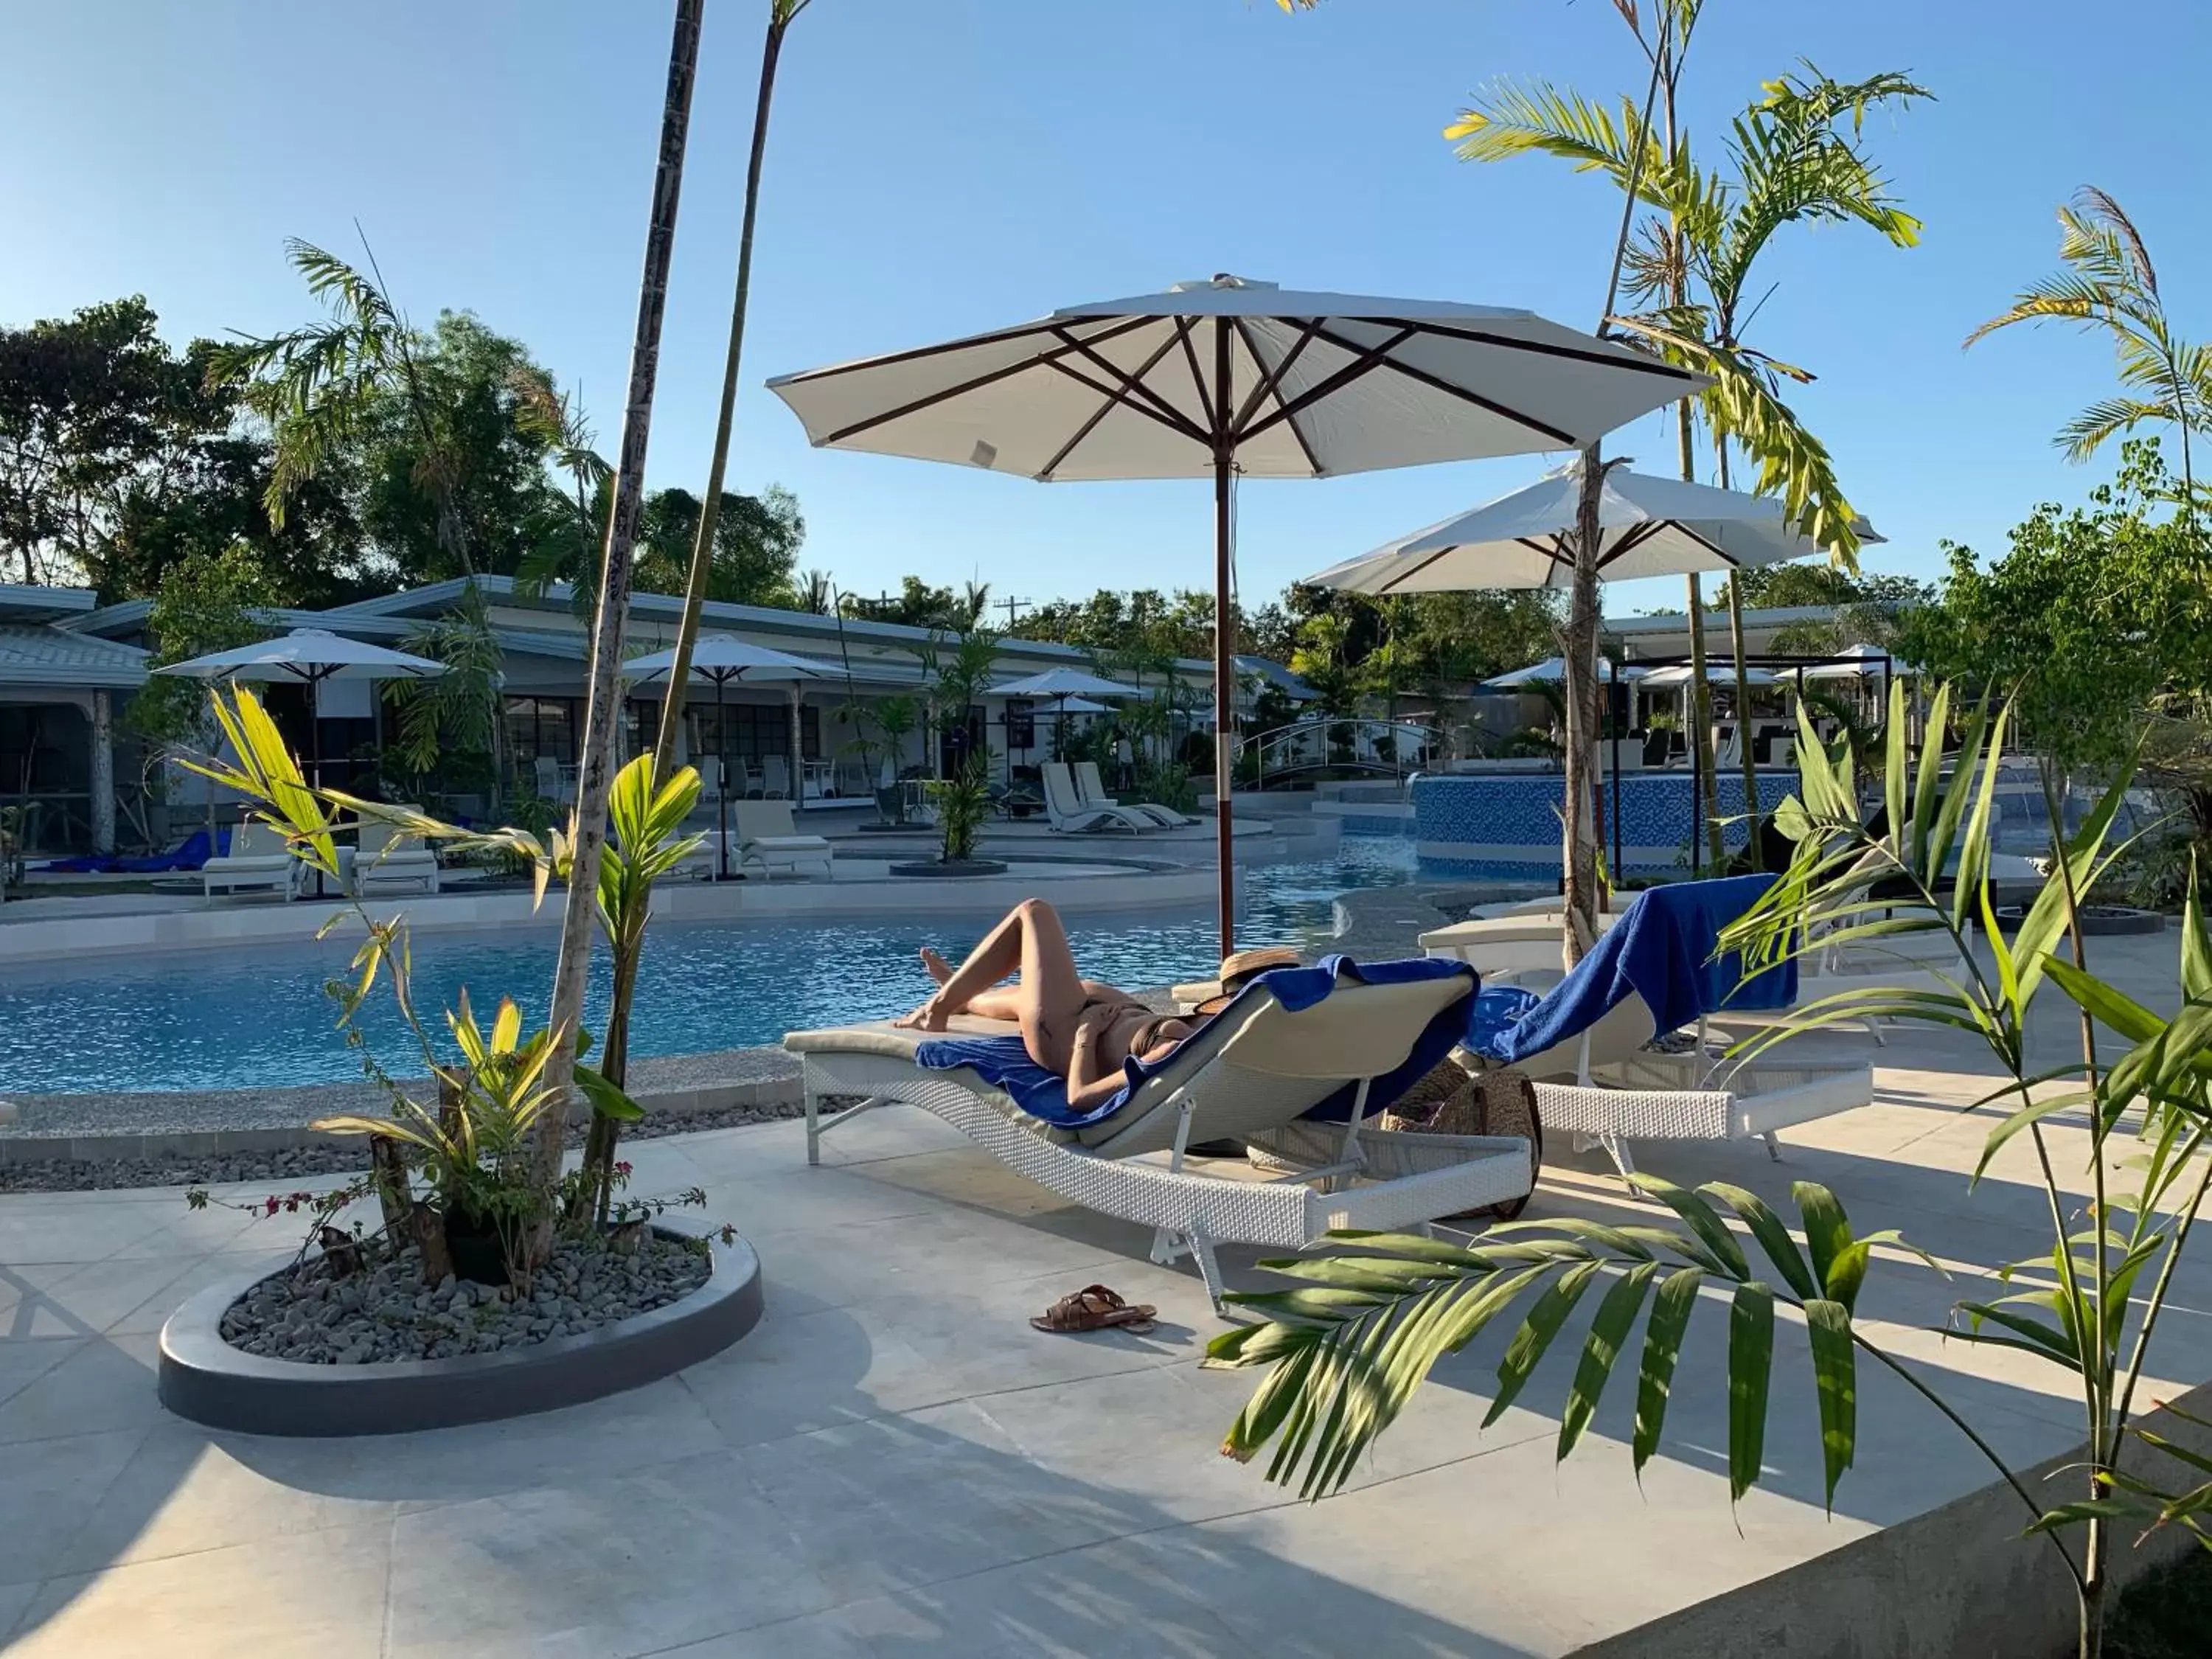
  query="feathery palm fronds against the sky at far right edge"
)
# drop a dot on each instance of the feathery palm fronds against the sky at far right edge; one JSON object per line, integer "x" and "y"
{"x": 2109, "y": 284}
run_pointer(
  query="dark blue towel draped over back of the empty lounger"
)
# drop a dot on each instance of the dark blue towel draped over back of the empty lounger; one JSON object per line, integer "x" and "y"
{"x": 1665, "y": 950}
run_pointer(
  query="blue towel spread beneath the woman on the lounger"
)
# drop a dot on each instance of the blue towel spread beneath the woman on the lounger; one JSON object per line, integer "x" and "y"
{"x": 1005, "y": 1063}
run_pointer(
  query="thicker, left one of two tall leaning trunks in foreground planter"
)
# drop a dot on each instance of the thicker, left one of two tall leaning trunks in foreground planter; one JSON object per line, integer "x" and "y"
{"x": 598, "y": 758}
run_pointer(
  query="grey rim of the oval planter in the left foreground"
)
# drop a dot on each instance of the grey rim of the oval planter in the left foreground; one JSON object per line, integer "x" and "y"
{"x": 209, "y": 1381}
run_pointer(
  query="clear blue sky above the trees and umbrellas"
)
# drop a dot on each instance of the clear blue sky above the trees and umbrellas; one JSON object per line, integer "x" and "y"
{"x": 939, "y": 167}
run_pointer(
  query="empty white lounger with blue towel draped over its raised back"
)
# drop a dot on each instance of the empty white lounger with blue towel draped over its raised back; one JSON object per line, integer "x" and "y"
{"x": 1585, "y": 1041}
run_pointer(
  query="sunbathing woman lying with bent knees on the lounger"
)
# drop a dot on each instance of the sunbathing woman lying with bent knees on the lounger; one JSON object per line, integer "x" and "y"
{"x": 1072, "y": 1025}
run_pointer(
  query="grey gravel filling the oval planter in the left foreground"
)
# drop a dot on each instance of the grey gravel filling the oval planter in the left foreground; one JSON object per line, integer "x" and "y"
{"x": 386, "y": 1313}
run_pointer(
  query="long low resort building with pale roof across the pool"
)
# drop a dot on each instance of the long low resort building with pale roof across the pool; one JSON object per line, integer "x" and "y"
{"x": 70, "y": 667}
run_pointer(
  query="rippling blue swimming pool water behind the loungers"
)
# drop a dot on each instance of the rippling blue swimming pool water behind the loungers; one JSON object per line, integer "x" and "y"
{"x": 242, "y": 1021}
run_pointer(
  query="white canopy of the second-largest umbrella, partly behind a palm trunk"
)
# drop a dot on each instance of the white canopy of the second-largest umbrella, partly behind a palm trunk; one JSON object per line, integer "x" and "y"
{"x": 1523, "y": 541}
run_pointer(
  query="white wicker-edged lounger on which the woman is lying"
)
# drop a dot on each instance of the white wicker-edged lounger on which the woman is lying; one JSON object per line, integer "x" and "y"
{"x": 1253, "y": 1070}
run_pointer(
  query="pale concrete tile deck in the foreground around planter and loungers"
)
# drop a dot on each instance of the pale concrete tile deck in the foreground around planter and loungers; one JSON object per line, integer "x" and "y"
{"x": 897, "y": 1465}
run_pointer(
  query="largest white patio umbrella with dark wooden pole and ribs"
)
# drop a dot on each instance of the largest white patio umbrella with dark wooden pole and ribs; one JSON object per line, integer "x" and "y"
{"x": 1235, "y": 377}
